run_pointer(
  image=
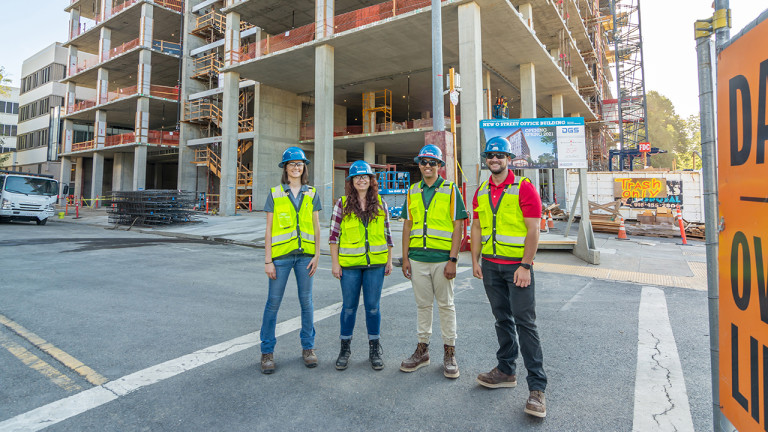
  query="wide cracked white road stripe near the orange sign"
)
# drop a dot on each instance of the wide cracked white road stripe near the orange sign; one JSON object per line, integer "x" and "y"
{"x": 661, "y": 401}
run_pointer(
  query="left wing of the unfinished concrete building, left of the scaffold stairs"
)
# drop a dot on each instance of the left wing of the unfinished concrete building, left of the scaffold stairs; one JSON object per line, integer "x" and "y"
{"x": 125, "y": 137}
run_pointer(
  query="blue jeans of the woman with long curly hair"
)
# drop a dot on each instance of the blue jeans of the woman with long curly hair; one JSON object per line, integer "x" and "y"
{"x": 370, "y": 280}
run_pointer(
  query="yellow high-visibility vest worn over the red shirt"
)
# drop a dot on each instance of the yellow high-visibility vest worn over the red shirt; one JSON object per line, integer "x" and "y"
{"x": 503, "y": 226}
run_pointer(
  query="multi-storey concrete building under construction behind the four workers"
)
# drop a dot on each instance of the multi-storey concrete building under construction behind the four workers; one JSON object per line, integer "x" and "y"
{"x": 344, "y": 80}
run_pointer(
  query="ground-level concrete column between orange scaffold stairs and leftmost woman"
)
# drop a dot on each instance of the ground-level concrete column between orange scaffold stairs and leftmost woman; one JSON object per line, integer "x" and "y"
{"x": 229, "y": 129}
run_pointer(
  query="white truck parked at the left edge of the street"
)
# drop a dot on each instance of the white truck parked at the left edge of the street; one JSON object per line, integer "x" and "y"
{"x": 27, "y": 197}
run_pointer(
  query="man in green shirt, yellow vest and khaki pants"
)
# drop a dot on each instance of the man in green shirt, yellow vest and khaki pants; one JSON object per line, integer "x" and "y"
{"x": 432, "y": 234}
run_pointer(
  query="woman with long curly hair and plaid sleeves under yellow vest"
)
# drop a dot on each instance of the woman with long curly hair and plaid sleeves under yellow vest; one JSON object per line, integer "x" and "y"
{"x": 361, "y": 251}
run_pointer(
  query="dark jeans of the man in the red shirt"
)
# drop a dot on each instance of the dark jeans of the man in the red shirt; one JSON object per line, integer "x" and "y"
{"x": 515, "y": 311}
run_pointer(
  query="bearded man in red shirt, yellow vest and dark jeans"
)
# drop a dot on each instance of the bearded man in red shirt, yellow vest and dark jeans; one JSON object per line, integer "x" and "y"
{"x": 505, "y": 232}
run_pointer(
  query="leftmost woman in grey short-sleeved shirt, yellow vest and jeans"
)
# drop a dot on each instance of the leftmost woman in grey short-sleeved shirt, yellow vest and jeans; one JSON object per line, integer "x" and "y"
{"x": 291, "y": 243}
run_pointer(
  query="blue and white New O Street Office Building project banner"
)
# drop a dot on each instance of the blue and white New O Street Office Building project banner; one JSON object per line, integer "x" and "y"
{"x": 556, "y": 142}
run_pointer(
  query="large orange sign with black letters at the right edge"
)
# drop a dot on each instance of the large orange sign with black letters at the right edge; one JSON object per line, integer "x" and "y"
{"x": 742, "y": 92}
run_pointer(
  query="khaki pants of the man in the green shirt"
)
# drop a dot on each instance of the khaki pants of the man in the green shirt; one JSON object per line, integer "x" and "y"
{"x": 429, "y": 284}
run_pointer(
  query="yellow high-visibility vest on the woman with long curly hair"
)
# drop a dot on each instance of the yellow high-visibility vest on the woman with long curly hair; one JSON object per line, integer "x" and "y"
{"x": 361, "y": 245}
